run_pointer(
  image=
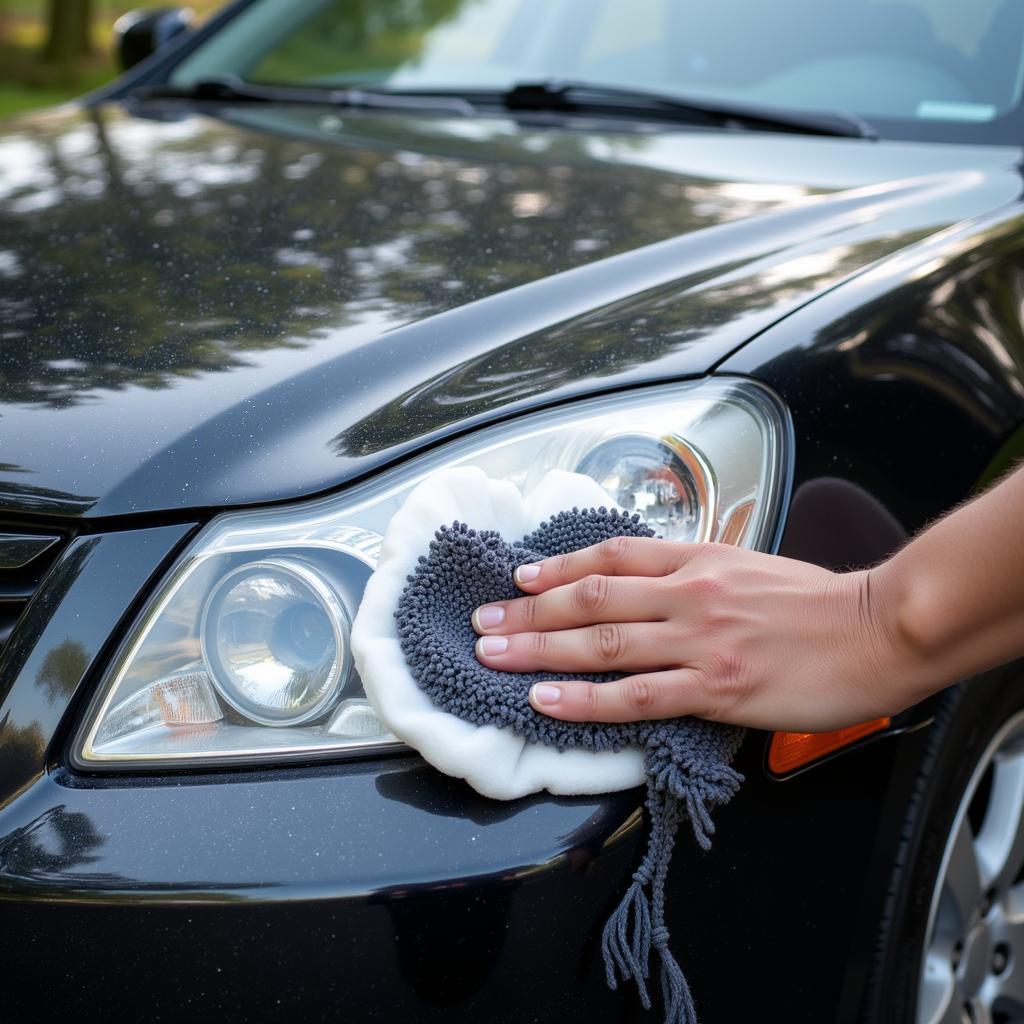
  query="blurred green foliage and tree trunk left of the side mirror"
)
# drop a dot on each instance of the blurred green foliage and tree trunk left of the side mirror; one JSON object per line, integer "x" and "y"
{"x": 55, "y": 51}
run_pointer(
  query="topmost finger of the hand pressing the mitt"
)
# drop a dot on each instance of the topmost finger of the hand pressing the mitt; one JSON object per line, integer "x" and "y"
{"x": 636, "y": 557}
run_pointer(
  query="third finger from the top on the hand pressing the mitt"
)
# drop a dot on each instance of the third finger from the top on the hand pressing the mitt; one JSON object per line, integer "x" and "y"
{"x": 610, "y": 647}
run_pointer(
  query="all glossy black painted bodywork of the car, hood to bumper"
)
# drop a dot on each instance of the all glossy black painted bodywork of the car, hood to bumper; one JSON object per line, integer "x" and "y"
{"x": 379, "y": 890}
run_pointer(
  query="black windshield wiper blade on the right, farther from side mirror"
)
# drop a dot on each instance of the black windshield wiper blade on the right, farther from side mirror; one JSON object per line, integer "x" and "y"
{"x": 585, "y": 98}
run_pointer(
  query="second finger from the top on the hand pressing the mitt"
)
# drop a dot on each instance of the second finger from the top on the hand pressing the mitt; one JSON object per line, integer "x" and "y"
{"x": 586, "y": 603}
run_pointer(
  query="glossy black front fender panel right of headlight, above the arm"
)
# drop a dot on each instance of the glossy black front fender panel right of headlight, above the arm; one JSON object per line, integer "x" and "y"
{"x": 919, "y": 362}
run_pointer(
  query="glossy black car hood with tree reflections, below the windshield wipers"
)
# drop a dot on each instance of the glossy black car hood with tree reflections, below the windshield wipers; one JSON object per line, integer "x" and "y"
{"x": 216, "y": 309}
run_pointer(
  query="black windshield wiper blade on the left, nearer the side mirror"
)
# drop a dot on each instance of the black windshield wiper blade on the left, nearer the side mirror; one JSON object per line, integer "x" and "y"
{"x": 232, "y": 90}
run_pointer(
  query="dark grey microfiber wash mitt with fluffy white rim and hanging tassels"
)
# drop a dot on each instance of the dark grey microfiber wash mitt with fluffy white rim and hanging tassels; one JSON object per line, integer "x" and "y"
{"x": 685, "y": 761}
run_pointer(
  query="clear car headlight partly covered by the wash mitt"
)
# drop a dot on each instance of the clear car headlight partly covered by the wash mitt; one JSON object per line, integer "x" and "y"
{"x": 242, "y": 655}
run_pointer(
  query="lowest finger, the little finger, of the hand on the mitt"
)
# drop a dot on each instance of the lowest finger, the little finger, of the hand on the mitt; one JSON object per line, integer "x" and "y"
{"x": 651, "y": 696}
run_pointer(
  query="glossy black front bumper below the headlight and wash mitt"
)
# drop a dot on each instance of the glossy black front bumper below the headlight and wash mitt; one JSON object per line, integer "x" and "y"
{"x": 400, "y": 894}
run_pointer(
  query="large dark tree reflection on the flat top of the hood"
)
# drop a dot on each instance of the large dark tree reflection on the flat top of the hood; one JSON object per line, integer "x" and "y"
{"x": 140, "y": 251}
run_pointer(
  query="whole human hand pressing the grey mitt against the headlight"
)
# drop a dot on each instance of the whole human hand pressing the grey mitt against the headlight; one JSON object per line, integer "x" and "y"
{"x": 702, "y": 629}
